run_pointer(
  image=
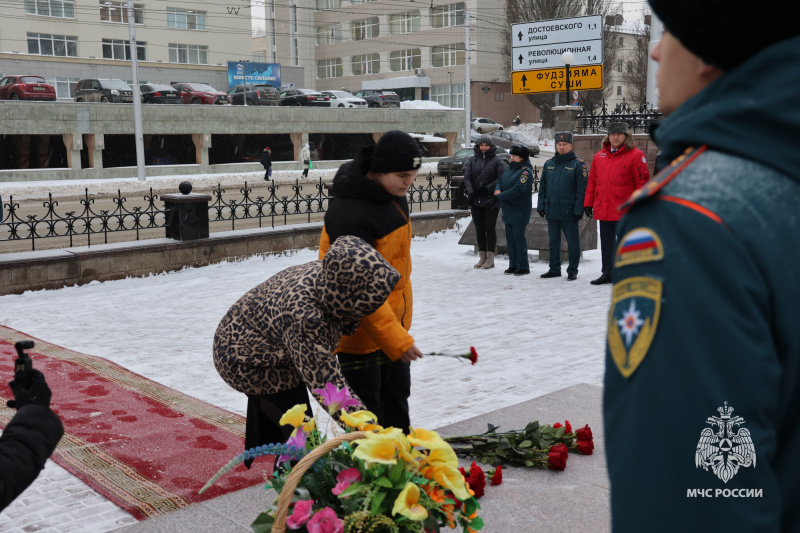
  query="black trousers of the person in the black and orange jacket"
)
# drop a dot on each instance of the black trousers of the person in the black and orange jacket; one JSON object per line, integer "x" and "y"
{"x": 382, "y": 384}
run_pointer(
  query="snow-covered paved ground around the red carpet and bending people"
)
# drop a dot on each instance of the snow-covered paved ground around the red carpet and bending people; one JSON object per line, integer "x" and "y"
{"x": 534, "y": 336}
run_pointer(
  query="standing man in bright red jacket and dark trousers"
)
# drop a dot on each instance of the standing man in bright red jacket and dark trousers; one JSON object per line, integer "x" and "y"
{"x": 618, "y": 169}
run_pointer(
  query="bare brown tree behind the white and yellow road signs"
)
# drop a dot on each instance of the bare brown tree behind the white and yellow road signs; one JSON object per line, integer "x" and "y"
{"x": 533, "y": 10}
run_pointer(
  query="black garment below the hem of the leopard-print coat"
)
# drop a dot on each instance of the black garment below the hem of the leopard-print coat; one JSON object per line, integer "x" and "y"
{"x": 264, "y": 414}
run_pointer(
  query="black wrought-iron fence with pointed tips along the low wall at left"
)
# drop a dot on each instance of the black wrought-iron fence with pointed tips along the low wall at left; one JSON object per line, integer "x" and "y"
{"x": 95, "y": 225}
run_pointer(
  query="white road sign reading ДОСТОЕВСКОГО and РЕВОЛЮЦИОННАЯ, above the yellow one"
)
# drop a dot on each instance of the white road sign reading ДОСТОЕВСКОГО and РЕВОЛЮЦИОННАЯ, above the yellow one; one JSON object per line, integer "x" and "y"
{"x": 539, "y": 45}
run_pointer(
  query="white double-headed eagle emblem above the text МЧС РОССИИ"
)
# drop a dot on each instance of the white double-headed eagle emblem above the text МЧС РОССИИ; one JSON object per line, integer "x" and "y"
{"x": 727, "y": 449}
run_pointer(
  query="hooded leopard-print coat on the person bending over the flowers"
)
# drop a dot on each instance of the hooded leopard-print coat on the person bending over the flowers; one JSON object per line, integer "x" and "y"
{"x": 283, "y": 332}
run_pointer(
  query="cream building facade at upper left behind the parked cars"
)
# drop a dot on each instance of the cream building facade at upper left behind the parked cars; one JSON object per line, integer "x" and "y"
{"x": 66, "y": 40}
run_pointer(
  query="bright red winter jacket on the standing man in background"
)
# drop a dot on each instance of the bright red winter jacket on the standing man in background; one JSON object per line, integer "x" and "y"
{"x": 613, "y": 177}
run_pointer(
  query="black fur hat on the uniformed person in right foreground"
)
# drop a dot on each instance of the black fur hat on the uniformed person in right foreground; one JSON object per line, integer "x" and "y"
{"x": 725, "y": 33}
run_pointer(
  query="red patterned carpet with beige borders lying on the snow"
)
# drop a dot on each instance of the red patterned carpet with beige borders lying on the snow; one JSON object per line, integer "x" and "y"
{"x": 142, "y": 445}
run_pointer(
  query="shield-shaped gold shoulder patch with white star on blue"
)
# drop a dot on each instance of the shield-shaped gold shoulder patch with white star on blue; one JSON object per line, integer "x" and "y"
{"x": 632, "y": 321}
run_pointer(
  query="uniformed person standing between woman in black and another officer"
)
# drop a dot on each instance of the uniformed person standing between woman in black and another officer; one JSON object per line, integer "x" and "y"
{"x": 515, "y": 192}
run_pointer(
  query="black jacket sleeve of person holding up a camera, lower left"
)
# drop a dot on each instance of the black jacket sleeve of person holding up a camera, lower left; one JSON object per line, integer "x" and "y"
{"x": 26, "y": 443}
